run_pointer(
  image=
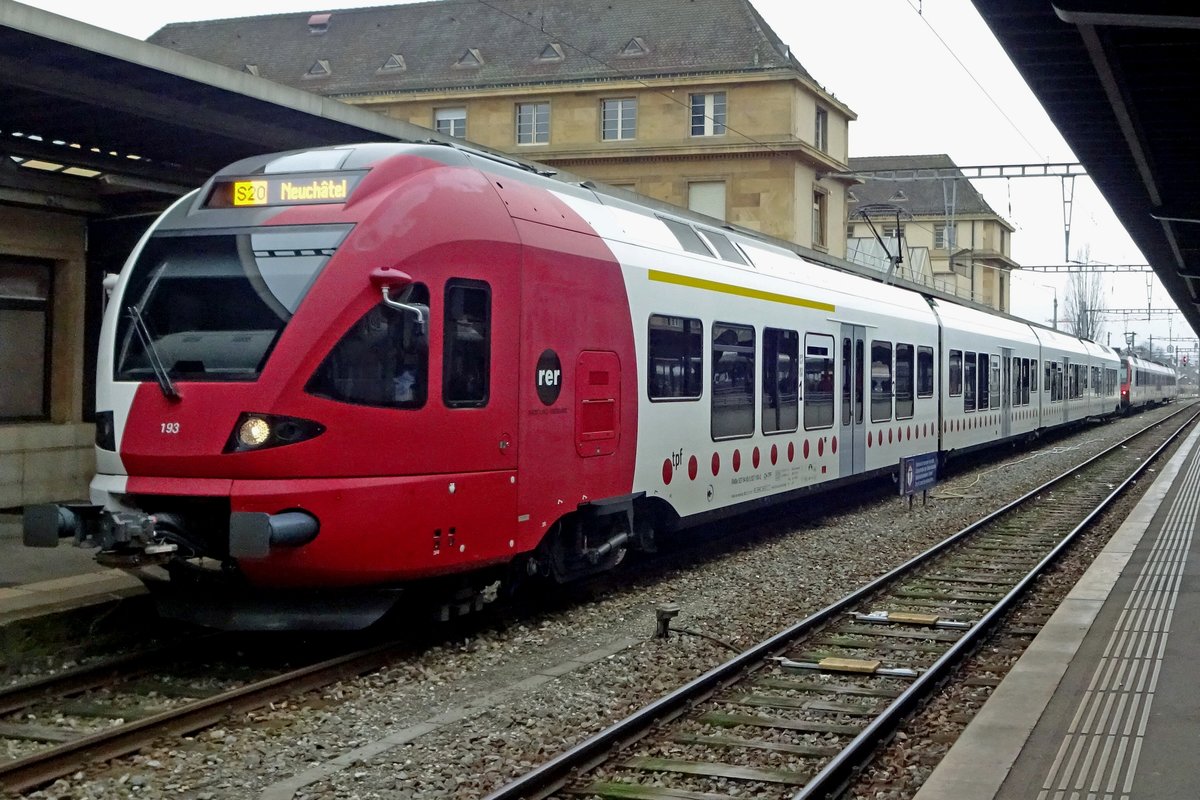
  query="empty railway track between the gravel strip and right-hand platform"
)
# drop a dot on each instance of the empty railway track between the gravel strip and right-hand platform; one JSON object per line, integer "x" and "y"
{"x": 801, "y": 714}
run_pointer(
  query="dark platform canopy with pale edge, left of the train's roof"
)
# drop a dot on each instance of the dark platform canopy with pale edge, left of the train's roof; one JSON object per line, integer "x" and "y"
{"x": 100, "y": 124}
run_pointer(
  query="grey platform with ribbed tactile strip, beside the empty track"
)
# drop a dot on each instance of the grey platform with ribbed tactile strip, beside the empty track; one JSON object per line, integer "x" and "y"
{"x": 1103, "y": 706}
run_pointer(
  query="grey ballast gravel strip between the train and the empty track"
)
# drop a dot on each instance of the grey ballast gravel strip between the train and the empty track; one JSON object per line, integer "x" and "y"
{"x": 466, "y": 717}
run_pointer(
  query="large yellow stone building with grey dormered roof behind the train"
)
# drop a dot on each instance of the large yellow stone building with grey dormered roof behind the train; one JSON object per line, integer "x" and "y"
{"x": 698, "y": 104}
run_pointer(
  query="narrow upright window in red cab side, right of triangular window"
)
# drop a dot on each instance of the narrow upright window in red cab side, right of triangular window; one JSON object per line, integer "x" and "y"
{"x": 466, "y": 345}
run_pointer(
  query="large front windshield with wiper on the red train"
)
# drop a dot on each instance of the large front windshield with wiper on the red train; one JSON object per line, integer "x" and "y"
{"x": 214, "y": 305}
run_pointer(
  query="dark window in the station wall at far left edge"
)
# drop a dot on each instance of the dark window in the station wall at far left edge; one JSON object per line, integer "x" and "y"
{"x": 26, "y": 334}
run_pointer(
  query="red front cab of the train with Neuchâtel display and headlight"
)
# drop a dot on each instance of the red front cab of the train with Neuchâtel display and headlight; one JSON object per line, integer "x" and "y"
{"x": 373, "y": 441}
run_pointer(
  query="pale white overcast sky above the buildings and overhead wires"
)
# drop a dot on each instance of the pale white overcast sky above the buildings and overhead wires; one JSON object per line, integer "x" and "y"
{"x": 923, "y": 77}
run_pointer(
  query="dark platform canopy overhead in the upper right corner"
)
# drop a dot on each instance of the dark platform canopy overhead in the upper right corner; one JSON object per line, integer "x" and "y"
{"x": 1120, "y": 80}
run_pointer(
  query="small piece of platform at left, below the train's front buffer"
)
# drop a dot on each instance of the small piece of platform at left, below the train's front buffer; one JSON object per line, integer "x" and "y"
{"x": 38, "y": 582}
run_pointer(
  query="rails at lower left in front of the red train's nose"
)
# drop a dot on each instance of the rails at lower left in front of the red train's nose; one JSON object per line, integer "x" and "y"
{"x": 112, "y": 707}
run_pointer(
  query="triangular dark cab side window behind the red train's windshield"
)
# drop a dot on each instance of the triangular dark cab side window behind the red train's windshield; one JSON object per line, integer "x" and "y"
{"x": 383, "y": 360}
